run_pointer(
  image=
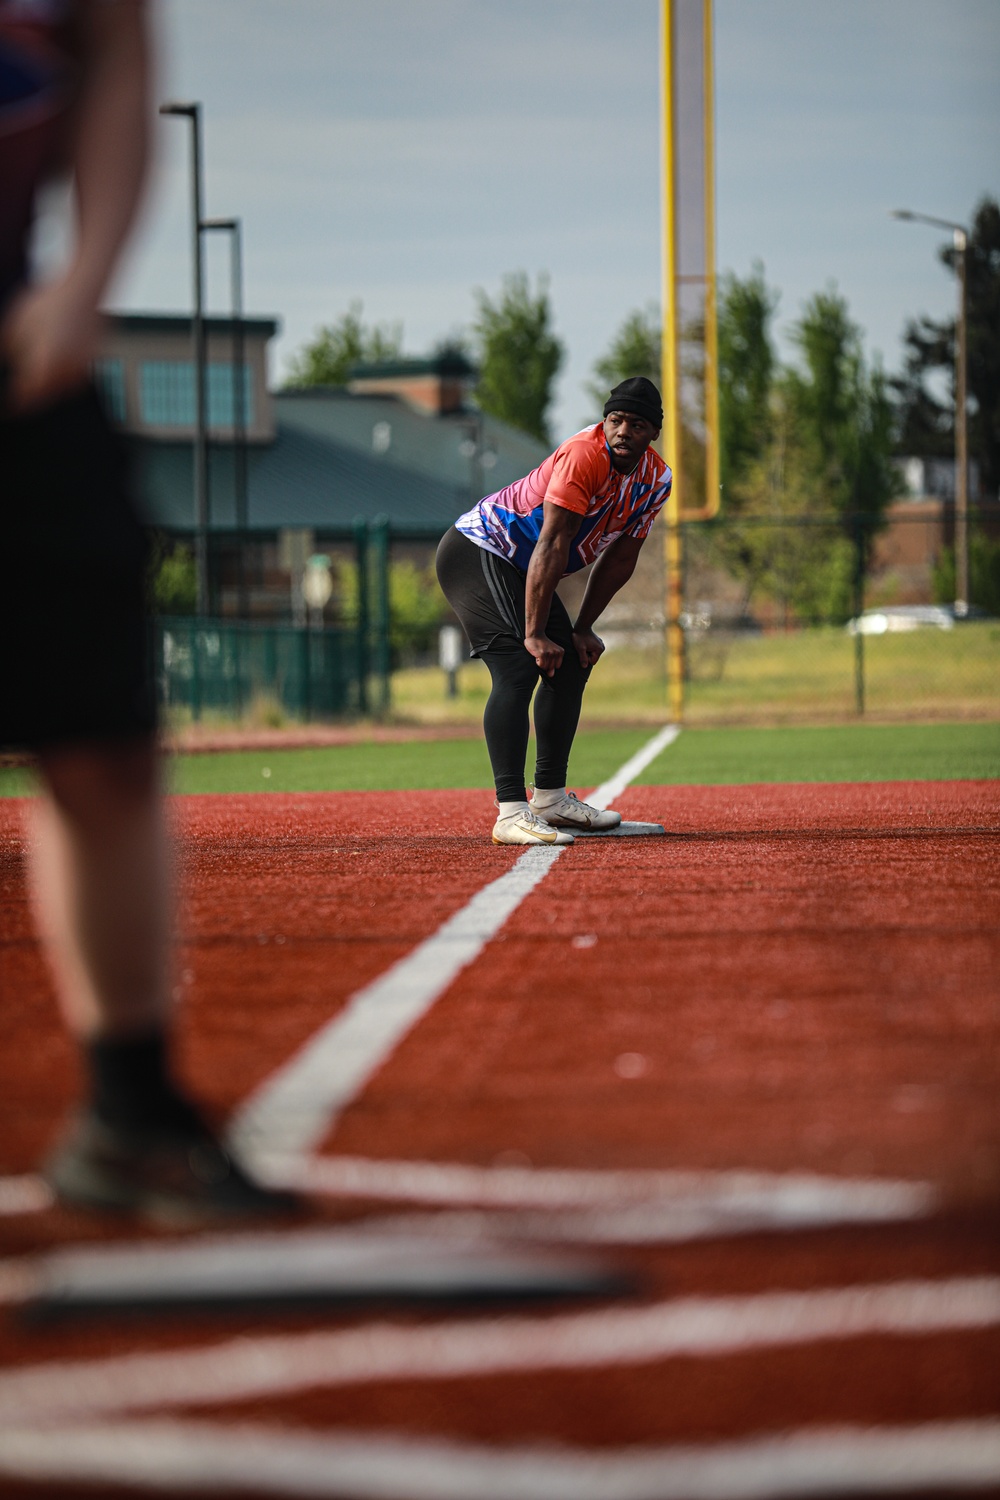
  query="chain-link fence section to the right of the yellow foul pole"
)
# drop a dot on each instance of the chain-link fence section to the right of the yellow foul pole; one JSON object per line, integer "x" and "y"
{"x": 801, "y": 620}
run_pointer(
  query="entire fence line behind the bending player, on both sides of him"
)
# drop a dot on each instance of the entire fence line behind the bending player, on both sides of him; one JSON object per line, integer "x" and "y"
{"x": 786, "y": 620}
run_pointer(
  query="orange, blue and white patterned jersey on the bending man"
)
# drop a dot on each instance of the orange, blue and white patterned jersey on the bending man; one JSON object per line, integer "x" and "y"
{"x": 581, "y": 478}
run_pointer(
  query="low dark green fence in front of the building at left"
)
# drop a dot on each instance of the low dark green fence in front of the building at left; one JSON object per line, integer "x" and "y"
{"x": 224, "y": 667}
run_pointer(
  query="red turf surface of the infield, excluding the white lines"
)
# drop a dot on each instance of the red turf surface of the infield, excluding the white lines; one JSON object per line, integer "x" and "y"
{"x": 810, "y": 976}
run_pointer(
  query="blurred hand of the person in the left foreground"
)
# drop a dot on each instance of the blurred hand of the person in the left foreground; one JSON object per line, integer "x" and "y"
{"x": 49, "y": 341}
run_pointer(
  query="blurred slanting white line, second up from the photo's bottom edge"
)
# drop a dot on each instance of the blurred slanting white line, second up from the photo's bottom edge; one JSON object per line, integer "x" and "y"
{"x": 713, "y": 1328}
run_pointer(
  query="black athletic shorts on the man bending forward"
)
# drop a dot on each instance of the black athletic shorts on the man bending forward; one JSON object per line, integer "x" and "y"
{"x": 488, "y": 595}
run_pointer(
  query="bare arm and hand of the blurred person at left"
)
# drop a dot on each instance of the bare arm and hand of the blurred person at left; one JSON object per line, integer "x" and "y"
{"x": 50, "y": 335}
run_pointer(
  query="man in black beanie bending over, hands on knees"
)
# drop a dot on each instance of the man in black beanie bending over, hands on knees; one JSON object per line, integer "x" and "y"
{"x": 593, "y": 502}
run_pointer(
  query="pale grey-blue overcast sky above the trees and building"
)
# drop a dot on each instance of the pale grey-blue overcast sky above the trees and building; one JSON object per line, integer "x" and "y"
{"x": 407, "y": 152}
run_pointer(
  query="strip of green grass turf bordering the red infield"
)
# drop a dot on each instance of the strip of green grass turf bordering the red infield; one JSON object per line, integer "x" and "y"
{"x": 699, "y": 758}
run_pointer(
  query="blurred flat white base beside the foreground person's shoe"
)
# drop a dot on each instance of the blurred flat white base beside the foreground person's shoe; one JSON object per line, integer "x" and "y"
{"x": 316, "y": 1267}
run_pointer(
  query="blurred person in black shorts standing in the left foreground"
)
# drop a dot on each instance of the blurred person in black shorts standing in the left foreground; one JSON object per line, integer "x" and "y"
{"x": 76, "y": 677}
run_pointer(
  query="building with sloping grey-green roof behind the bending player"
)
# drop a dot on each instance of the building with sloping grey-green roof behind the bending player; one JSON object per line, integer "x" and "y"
{"x": 401, "y": 442}
